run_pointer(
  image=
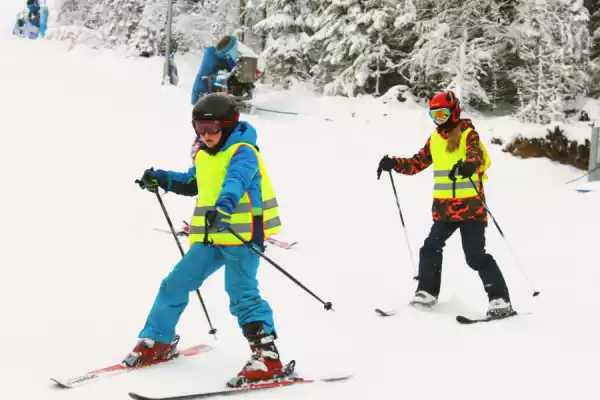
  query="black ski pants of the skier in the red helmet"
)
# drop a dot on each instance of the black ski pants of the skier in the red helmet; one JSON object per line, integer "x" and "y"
{"x": 473, "y": 240}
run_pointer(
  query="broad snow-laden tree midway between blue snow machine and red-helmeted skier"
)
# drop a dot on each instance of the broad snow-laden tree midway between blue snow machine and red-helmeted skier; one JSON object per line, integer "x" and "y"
{"x": 351, "y": 46}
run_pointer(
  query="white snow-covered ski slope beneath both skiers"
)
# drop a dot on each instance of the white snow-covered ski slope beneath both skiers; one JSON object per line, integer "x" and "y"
{"x": 81, "y": 263}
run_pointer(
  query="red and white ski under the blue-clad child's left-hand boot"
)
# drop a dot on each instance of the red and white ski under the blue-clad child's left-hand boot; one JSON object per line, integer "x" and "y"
{"x": 117, "y": 369}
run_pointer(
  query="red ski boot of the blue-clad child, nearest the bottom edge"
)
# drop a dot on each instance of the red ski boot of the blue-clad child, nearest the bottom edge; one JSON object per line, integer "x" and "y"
{"x": 264, "y": 364}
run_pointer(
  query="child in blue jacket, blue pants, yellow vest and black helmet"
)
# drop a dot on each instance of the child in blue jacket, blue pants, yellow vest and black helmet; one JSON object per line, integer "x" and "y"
{"x": 234, "y": 194}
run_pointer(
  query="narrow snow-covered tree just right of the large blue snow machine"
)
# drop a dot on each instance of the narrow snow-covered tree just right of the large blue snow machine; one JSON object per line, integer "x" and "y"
{"x": 287, "y": 29}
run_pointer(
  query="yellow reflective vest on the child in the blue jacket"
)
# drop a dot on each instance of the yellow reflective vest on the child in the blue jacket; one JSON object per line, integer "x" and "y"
{"x": 210, "y": 175}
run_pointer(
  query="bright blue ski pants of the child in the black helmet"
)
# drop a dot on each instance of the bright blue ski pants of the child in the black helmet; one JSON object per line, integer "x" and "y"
{"x": 201, "y": 261}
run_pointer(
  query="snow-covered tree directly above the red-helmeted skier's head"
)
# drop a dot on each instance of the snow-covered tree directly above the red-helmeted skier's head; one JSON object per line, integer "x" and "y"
{"x": 456, "y": 44}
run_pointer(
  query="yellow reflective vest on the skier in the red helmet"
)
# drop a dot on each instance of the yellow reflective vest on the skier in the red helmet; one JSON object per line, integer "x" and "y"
{"x": 444, "y": 187}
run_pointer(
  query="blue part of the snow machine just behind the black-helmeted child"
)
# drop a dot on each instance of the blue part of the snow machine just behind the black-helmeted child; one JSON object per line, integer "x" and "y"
{"x": 214, "y": 60}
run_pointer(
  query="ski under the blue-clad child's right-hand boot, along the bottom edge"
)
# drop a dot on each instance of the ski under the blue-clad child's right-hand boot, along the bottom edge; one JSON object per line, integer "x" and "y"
{"x": 242, "y": 389}
